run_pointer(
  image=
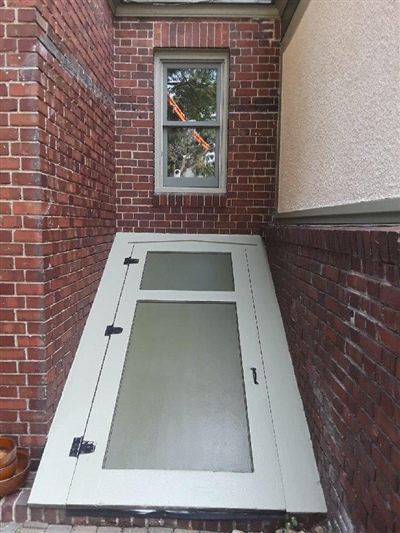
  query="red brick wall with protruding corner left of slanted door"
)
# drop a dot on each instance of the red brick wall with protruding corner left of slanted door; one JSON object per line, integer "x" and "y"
{"x": 57, "y": 198}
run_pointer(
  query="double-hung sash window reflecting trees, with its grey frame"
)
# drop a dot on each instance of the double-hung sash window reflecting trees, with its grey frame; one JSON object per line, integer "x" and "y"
{"x": 190, "y": 121}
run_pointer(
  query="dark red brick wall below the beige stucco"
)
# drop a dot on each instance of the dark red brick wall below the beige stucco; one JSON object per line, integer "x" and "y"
{"x": 339, "y": 294}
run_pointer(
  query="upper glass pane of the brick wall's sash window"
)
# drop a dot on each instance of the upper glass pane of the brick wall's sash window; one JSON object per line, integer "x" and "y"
{"x": 192, "y": 94}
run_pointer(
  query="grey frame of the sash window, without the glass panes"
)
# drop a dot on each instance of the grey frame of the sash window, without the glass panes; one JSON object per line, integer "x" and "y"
{"x": 202, "y": 59}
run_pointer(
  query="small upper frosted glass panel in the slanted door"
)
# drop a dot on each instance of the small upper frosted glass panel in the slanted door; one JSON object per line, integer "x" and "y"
{"x": 188, "y": 272}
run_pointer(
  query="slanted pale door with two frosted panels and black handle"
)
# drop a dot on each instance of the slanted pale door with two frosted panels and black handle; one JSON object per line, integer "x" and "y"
{"x": 178, "y": 418}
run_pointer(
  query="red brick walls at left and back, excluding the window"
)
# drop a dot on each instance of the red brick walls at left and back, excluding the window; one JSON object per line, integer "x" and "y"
{"x": 58, "y": 188}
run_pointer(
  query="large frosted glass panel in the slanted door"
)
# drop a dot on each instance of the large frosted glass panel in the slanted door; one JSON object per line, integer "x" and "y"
{"x": 181, "y": 403}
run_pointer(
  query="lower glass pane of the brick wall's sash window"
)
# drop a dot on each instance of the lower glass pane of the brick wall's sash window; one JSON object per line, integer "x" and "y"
{"x": 191, "y": 153}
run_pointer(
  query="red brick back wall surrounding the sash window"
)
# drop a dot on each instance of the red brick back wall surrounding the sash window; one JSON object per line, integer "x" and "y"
{"x": 253, "y": 97}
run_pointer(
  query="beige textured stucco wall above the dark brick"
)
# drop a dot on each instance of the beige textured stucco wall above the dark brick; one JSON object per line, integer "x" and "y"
{"x": 340, "y": 105}
